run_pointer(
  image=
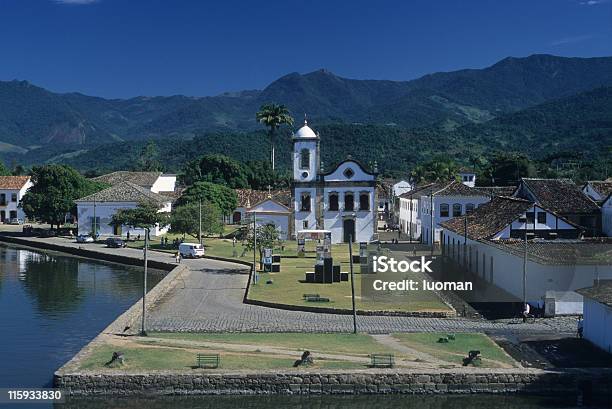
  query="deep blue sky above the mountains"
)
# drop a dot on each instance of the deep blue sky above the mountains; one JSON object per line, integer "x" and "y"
{"x": 124, "y": 48}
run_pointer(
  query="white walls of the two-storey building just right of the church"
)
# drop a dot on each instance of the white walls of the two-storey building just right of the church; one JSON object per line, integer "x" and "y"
{"x": 425, "y": 217}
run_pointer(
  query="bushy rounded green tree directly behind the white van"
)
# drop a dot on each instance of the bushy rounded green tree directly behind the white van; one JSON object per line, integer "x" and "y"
{"x": 185, "y": 220}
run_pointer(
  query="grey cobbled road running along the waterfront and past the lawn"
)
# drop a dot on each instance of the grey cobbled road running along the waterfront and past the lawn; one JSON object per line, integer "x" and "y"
{"x": 209, "y": 299}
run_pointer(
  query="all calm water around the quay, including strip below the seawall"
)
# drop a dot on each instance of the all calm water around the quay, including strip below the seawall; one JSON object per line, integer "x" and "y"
{"x": 51, "y": 305}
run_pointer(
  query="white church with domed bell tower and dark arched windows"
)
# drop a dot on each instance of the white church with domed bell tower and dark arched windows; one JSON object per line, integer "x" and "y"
{"x": 342, "y": 201}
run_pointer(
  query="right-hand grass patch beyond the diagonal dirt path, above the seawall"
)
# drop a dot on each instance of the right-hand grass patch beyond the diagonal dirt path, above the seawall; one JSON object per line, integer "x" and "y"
{"x": 455, "y": 350}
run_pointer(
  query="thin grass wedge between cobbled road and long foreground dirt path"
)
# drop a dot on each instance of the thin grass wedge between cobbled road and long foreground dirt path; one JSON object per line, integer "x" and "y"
{"x": 361, "y": 344}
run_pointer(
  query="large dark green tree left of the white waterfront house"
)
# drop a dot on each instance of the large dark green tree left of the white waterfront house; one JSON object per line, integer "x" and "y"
{"x": 54, "y": 190}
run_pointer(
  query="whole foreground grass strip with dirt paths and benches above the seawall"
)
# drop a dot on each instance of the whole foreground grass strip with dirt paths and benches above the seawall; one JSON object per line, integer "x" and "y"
{"x": 255, "y": 351}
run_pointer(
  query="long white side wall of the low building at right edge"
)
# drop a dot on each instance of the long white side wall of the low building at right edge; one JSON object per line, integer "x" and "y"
{"x": 506, "y": 271}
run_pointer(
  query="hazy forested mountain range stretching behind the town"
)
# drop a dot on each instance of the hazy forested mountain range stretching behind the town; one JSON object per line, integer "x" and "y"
{"x": 537, "y": 104}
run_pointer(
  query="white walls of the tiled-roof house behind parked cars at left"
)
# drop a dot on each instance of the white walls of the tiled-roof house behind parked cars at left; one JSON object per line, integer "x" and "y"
{"x": 104, "y": 212}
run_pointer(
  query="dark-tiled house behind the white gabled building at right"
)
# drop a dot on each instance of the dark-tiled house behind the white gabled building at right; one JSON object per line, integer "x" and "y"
{"x": 564, "y": 198}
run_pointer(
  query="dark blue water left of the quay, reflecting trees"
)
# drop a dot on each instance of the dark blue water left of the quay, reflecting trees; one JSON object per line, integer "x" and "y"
{"x": 52, "y": 305}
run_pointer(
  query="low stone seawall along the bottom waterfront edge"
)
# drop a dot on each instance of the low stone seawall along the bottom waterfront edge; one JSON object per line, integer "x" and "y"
{"x": 200, "y": 382}
